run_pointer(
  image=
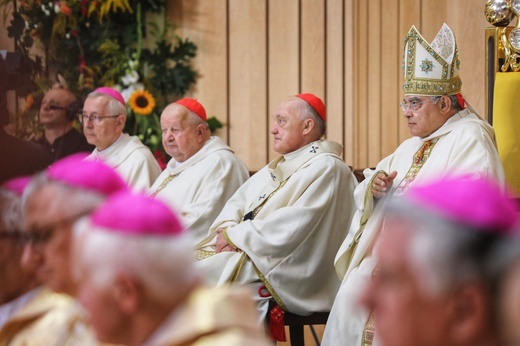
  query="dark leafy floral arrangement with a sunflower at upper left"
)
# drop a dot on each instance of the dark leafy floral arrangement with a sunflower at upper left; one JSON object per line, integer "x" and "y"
{"x": 92, "y": 43}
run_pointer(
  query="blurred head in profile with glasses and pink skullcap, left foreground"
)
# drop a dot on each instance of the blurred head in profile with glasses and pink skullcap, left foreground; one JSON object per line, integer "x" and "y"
{"x": 67, "y": 190}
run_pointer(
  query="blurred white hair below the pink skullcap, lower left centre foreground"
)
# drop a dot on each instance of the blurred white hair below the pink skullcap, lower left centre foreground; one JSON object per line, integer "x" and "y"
{"x": 165, "y": 266}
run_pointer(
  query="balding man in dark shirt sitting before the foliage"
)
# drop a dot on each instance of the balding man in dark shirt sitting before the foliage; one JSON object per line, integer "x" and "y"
{"x": 58, "y": 111}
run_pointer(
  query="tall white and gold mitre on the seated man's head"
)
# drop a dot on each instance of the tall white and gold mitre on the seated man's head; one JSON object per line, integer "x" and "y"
{"x": 431, "y": 69}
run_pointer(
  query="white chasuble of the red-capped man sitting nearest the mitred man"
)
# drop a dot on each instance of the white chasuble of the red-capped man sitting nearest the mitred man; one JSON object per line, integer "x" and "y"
{"x": 287, "y": 221}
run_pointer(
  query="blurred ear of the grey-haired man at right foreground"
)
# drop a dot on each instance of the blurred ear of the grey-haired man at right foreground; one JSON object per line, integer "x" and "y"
{"x": 470, "y": 313}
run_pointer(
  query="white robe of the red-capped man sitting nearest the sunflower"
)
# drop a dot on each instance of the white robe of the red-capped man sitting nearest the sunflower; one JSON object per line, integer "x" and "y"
{"x": 198, "y": 188}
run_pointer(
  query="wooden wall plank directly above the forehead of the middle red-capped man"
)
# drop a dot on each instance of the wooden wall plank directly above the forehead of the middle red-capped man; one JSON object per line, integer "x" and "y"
{"x": 284, "y": 55}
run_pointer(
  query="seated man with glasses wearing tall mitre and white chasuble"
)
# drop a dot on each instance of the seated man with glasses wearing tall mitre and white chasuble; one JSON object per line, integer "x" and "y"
{"x": 448, "y": 138}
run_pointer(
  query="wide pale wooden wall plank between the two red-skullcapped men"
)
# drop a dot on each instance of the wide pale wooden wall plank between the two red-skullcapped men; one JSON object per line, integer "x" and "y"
{"x": 248, "y": 112}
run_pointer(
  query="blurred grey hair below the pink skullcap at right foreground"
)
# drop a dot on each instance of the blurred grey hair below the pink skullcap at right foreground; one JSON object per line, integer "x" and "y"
{"x": 444, "y": 252}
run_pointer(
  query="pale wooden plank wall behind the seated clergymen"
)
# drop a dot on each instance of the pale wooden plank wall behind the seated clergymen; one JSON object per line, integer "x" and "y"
{"x": 254, "y": 53}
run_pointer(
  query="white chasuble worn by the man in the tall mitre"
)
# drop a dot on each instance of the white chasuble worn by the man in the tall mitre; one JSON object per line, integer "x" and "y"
{"x": 464, "y": 144}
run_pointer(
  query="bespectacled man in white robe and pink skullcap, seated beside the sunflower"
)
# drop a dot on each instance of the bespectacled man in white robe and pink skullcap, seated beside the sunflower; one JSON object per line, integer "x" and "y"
{"x": 103, "y": 119}
